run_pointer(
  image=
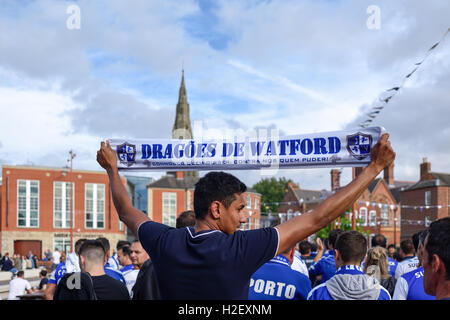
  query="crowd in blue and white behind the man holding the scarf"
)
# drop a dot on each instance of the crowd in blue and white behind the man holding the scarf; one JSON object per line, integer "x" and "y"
{"x": 343, "y": 266}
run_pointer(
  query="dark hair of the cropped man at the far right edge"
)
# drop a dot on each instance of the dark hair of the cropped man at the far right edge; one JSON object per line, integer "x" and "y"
{"x": 439, "y": 242}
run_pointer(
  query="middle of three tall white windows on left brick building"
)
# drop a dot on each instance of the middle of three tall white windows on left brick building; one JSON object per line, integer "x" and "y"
{"x": 62, "y": 204}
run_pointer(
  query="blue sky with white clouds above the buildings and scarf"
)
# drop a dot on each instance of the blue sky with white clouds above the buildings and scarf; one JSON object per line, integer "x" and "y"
{"x": 298, "y": 66}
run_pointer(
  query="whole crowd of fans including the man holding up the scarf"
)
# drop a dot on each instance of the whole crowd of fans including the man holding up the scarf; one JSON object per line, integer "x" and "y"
{"x": 207, "y": 257}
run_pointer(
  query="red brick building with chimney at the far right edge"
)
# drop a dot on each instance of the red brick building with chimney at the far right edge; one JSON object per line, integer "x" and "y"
{"x": 425, "y": 201}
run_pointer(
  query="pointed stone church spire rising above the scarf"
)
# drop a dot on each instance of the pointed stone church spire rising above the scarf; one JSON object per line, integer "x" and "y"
{"x": 182, "y": 126}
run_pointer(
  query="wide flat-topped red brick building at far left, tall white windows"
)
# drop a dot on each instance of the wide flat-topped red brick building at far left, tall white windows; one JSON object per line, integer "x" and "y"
{"x": 37, "y": 204}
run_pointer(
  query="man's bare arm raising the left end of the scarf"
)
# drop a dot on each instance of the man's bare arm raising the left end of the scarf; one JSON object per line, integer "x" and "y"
{"x": 131, "y": 216}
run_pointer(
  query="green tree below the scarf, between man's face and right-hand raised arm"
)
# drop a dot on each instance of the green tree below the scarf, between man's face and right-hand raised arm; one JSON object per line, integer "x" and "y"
{"x": 272, "y": 192}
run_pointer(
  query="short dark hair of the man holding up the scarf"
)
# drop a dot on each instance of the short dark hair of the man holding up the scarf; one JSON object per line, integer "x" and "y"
{"x": 215, "y": 186}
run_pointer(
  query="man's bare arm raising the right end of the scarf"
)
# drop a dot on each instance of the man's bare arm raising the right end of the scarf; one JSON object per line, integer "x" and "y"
{"x": 303, "y": 226}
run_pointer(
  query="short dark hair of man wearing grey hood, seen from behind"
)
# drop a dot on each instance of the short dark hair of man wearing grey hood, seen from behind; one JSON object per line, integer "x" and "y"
{"x": 352, "y": 246}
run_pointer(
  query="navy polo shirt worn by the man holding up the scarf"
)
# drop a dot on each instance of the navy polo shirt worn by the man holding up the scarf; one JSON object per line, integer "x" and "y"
{"x": 208, "y": 264}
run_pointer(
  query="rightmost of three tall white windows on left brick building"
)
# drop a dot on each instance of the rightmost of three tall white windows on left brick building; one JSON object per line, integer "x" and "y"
{"x": 95, "y": 206}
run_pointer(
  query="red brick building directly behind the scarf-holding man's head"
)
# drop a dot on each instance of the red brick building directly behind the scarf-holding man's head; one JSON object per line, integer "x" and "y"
{"x": 169, "y": 196}
